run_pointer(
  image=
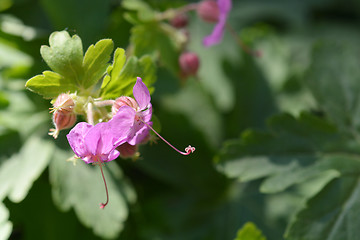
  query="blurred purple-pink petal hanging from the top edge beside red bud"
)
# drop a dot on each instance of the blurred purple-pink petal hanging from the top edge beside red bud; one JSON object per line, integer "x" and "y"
{"x": 217, "y": 34}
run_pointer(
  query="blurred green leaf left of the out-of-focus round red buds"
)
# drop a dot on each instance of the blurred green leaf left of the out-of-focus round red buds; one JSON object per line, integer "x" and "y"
{"x": 162, "y": 41}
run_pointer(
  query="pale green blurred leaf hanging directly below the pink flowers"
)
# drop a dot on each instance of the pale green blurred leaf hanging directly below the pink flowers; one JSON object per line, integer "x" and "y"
{"x": 81, "y": 187}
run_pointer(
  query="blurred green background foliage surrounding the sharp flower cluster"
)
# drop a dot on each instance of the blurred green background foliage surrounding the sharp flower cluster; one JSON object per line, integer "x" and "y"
{"x": 249, "y": 118}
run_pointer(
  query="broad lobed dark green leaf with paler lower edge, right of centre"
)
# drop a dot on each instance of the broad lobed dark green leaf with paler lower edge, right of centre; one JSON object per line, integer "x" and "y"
{"x": 289, "y": 153}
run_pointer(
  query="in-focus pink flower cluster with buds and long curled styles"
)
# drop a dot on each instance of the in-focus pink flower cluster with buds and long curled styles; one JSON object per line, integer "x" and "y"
{"x": 105, "y": 141}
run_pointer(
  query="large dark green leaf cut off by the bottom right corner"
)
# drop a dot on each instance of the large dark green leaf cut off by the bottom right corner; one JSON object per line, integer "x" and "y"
{"x": 333, "y": 213}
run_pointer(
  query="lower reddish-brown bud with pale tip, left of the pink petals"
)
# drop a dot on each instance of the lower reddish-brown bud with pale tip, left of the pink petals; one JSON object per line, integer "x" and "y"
{"x": 62, "y": 120}
